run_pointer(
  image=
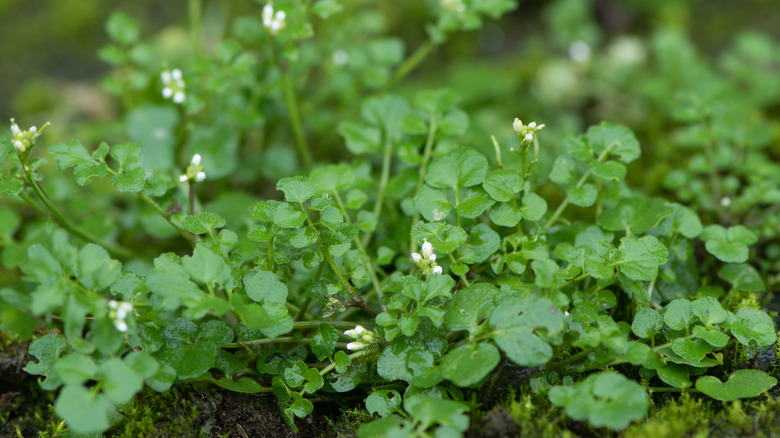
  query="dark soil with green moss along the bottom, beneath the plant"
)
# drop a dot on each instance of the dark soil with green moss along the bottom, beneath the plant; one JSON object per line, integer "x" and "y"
{"x": 200, "y": 410}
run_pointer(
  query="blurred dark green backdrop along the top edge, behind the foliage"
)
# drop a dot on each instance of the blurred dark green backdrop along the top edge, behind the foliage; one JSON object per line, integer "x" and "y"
{"x": 50, "y": 62}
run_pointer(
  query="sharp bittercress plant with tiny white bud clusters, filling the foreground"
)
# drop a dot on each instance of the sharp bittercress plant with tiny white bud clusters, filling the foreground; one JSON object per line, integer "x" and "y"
{"x": 412, "y": 273}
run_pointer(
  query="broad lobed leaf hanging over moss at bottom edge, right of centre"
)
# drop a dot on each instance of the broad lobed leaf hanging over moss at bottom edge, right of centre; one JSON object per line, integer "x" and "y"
{"x": 604, "y": 400}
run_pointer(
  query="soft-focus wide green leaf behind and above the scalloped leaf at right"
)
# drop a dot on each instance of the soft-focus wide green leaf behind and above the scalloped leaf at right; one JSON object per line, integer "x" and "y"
{"x": 635, "y": 215}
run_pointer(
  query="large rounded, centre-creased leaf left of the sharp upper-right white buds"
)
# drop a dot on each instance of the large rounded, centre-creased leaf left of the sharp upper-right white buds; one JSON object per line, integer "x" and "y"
{"x": 463, "y": 167}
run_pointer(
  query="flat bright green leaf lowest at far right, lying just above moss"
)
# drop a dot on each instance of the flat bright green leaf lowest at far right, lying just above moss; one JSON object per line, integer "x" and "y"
{"x": 741, "y": 384}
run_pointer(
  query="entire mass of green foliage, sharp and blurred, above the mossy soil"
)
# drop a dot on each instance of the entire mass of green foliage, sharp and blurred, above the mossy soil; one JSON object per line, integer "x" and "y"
{"x": 613, "y": 263}
